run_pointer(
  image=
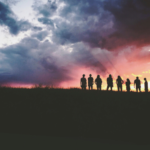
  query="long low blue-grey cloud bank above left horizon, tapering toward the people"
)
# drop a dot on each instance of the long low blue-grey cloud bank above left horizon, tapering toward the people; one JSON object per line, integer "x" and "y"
{"x": 34, "y": 62}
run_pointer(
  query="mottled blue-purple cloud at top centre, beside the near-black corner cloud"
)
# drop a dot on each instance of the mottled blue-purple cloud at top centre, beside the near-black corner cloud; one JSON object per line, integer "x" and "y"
{"x": 84, "y": 21}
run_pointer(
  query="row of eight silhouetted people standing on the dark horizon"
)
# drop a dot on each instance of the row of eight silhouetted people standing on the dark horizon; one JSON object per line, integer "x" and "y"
{"x": 119, "y": 82}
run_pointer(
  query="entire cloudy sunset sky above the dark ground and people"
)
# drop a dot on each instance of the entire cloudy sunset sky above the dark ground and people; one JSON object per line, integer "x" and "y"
{"x": 55, "y": 42}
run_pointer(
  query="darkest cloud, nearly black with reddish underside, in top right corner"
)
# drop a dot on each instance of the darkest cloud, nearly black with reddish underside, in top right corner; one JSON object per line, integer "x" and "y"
{"x": 132, "y": 21}
